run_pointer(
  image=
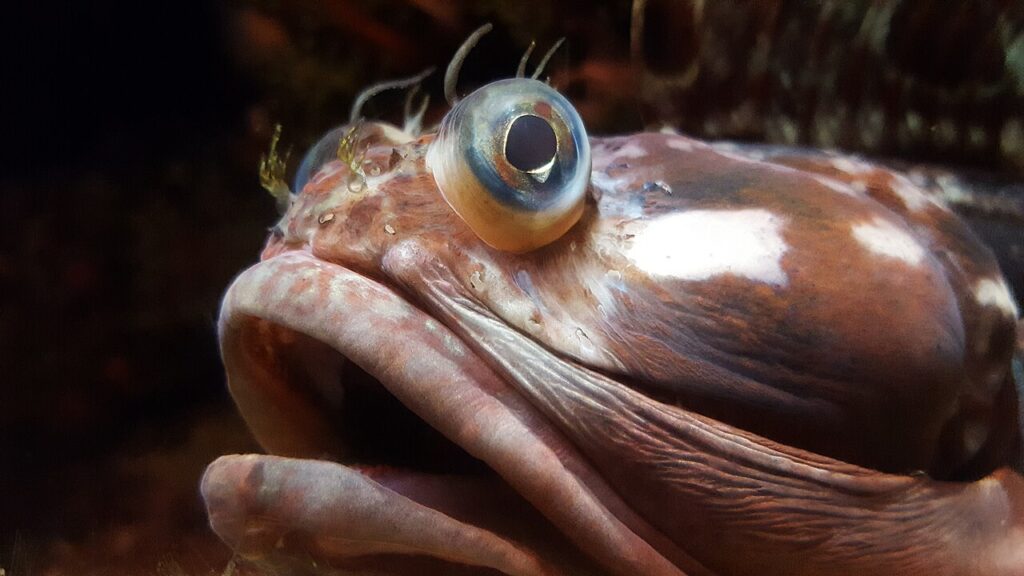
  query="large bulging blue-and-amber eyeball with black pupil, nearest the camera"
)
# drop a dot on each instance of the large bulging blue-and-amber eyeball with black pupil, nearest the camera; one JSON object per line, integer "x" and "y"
{"x": 513, "y": 159}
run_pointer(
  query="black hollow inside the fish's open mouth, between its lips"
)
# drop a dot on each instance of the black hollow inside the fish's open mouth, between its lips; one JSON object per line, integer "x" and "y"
{"x": 373, "y": 427}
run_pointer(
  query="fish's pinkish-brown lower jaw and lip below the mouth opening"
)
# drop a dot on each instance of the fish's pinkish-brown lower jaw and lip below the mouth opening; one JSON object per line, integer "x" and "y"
{"x": 292, "y": 516}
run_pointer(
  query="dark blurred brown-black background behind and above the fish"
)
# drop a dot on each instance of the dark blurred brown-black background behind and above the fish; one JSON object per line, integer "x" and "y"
{"x": 130, "y": 194}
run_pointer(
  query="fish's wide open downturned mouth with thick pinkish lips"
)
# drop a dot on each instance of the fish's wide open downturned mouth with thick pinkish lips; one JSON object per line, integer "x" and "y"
{"x": 396, "y": 445}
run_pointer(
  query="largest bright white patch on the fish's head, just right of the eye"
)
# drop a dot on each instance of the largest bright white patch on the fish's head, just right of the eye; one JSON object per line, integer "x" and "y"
{"x": 702, "y": 244}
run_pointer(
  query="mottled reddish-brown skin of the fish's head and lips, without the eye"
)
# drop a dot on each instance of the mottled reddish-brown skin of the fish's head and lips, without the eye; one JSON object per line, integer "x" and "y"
{"x": 819, "y": 383}
